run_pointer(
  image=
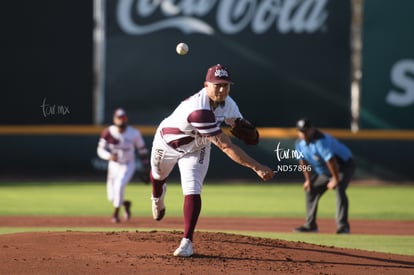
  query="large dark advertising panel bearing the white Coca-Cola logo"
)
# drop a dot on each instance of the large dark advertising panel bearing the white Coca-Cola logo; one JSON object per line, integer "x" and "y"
{"x": 287, "y": 58}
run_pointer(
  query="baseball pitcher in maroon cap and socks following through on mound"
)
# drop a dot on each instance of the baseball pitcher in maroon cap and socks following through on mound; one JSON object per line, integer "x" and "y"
{"x": 185, "y": 138}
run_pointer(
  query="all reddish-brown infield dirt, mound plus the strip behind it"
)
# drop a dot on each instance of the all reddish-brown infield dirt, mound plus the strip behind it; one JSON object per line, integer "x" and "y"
{"x": 150, "y": 252}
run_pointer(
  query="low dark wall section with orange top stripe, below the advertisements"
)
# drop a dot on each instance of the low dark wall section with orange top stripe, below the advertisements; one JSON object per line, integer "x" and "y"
{"x": 70, "y": 152}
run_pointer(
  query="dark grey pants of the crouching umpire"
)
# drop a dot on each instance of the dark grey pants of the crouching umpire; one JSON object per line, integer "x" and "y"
{"x": 318, "y": 188}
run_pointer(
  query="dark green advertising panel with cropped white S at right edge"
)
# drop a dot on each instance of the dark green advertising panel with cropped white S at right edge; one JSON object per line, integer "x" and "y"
{"x": 387, "y": 86}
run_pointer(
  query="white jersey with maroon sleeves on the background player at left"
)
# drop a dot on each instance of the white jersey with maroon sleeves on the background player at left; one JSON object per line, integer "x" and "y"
{"x": 122, "y": 144}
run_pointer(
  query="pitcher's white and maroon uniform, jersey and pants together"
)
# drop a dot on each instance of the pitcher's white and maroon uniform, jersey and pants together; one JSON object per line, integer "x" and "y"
{"x": 182, "y": 138}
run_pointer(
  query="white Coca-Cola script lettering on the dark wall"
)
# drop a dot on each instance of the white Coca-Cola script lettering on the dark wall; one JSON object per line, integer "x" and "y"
{"x": 232, "y": 16}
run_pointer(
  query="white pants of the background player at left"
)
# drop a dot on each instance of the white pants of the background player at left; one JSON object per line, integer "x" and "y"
{"x": 119, "y": 174}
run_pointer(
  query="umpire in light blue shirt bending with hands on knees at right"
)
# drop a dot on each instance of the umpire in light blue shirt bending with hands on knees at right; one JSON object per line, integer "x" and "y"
{"x": 332, "y": 167}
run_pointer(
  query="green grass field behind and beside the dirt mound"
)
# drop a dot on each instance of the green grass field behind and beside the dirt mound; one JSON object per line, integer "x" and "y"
{"x": 221, "y": 200}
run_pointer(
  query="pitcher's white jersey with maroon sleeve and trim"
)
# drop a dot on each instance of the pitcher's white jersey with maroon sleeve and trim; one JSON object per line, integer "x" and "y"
{"x": 194, "y": 119}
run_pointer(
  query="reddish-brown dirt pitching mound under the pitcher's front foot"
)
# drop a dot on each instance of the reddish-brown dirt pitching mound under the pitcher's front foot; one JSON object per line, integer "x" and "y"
{"x": 126, "y": 252}
